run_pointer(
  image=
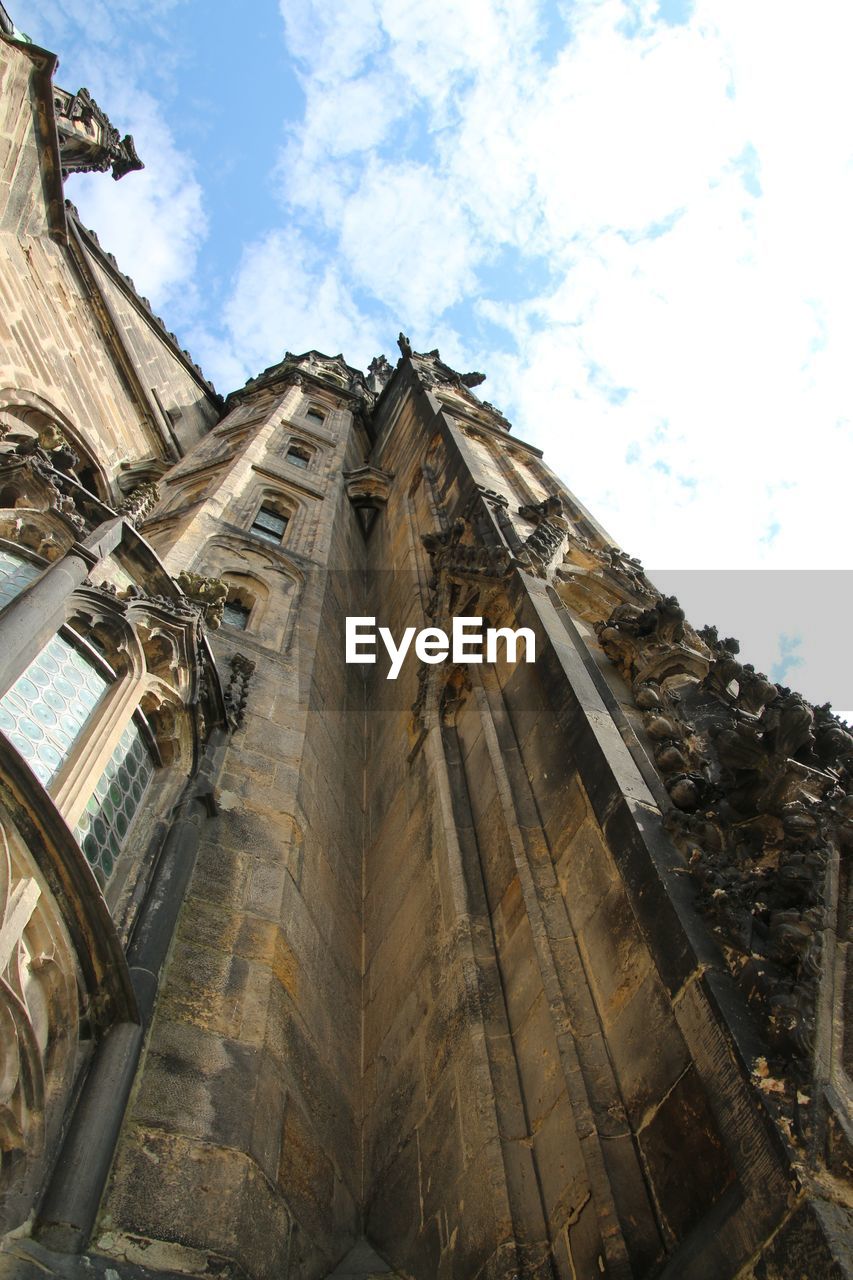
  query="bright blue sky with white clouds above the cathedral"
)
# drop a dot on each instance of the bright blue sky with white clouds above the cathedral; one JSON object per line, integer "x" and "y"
{"x": 633, "y": 216}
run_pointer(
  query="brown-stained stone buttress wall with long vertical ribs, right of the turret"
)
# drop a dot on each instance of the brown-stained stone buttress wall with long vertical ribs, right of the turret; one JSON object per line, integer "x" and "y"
{"x": 549, "y": 1082}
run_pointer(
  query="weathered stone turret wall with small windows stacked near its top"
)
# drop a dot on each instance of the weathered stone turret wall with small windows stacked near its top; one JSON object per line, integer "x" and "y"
{"x": 250, "y": 1091}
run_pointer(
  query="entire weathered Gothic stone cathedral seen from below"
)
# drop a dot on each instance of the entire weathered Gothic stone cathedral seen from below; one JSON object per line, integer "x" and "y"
{"x": 499, "y": 970}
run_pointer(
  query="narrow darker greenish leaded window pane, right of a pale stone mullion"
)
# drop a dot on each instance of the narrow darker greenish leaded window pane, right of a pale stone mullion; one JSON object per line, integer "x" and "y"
{"x": 107, "y": 819}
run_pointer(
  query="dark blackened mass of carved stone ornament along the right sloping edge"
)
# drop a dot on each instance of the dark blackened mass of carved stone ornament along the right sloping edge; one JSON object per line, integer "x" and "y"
{"x": 763, "y": 793}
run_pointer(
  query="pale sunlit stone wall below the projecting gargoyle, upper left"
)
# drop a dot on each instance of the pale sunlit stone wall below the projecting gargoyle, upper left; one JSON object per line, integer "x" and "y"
{"x": 60, "y": 356}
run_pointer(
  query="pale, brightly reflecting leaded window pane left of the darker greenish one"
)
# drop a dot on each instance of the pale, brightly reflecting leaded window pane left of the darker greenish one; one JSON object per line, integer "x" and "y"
{"x": 47, "y": 708}
